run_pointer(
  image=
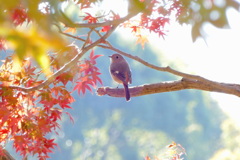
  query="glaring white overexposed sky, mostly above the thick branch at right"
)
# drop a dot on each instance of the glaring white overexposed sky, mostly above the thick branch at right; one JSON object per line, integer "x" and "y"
{"x": 217, "y": 58}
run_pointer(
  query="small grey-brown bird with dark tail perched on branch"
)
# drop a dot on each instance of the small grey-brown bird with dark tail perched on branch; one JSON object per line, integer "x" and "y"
{"x": 120, "y": 72}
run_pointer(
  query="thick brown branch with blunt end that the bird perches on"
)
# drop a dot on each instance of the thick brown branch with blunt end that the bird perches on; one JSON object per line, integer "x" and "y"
{"x": 165, "y": 87}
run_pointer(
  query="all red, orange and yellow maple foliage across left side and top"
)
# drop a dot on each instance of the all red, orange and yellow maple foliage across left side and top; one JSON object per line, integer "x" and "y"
{"x": 37, "y": 76}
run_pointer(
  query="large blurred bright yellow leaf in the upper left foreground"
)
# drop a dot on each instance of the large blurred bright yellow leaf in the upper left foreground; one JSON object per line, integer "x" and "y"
{"x": 35, "y": 43}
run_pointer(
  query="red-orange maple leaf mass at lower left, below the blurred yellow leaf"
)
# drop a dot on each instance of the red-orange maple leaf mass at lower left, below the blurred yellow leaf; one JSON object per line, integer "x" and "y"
{"x": 26, "y": 118}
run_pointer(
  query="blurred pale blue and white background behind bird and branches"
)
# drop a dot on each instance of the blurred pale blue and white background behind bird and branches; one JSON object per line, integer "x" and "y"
{"x": 205, "y": 124}
